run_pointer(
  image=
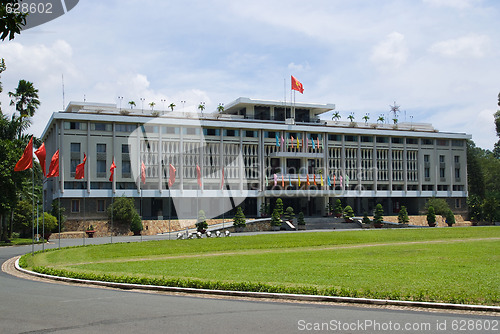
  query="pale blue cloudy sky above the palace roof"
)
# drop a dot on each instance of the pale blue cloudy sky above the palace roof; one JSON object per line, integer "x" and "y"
{"x": 435, "y": 58}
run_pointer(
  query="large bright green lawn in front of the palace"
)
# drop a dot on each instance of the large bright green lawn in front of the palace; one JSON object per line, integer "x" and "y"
{"x": 446, "y": 264}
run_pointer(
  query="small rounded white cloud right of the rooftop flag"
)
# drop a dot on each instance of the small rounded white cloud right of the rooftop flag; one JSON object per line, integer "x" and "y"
{"x": 391, "y": 52}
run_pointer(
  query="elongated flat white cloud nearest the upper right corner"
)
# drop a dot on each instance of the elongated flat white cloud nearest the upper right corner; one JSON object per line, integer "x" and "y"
{"x": 469, "y": 46}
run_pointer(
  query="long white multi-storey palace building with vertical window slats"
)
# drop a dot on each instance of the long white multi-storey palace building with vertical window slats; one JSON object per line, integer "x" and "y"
{"x": 252, "y": 152}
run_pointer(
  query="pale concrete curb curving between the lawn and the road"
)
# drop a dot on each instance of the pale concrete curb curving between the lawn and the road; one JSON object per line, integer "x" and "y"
{"x": 268, "y": 295}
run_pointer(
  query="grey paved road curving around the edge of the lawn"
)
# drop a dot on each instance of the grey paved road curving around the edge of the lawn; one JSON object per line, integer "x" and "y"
{"x": 38, "y": 307}
